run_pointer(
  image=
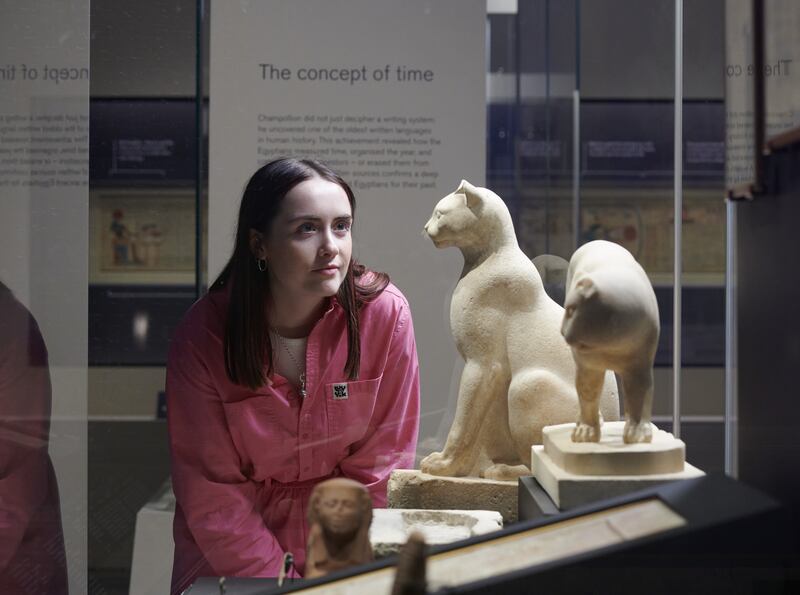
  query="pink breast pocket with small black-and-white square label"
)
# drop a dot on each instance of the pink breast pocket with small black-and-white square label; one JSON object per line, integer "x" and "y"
{"x": 350, "y": 406}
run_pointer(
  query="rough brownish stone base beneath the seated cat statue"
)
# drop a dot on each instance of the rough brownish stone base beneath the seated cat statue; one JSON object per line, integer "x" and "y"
{"x": 411, "y": 488}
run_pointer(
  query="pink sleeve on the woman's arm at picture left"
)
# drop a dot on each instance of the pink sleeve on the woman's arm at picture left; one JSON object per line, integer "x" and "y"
{"x": 217, "y": 500}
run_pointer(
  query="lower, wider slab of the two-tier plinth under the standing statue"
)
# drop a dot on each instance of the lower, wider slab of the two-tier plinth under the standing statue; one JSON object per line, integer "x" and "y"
{"x": 568, "y": 490}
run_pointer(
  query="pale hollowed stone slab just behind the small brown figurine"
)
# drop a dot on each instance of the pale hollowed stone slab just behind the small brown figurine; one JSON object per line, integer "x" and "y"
{"x": 391, "y": 526}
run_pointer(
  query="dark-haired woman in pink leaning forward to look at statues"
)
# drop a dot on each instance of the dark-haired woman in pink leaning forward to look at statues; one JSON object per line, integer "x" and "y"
{"x": 297, "y": 366}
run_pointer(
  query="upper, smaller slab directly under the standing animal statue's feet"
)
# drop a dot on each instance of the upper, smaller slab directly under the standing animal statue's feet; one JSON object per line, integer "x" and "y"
{"x": 611, "y": 456}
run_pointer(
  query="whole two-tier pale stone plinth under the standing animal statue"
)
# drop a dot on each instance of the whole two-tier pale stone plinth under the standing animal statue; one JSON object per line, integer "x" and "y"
{"x": 576, "y": 473}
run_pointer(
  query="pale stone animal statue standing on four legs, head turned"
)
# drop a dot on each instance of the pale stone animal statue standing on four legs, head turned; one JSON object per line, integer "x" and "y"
{"x": 611, "y": 323}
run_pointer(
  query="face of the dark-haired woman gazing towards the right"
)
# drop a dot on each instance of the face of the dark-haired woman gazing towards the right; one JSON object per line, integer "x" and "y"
{"x": 308, "y": 245}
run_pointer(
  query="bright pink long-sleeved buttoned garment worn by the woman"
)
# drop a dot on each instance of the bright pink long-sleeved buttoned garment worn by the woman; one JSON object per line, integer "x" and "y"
{"x": 244, "y": 462}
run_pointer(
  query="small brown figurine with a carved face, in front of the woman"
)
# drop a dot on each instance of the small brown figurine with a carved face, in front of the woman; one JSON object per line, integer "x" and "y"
{"x": 340, "y": 514}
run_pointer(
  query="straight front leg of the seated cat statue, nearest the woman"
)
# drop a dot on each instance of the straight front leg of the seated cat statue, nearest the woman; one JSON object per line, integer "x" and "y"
{"x": 480, "y": 384}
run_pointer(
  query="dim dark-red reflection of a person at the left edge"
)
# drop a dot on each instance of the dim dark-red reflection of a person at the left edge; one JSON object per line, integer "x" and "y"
{"x": 32, "y": 559}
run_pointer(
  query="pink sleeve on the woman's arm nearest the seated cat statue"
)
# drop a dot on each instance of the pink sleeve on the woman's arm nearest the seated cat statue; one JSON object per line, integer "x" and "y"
{"x": 391, "y": 439}
